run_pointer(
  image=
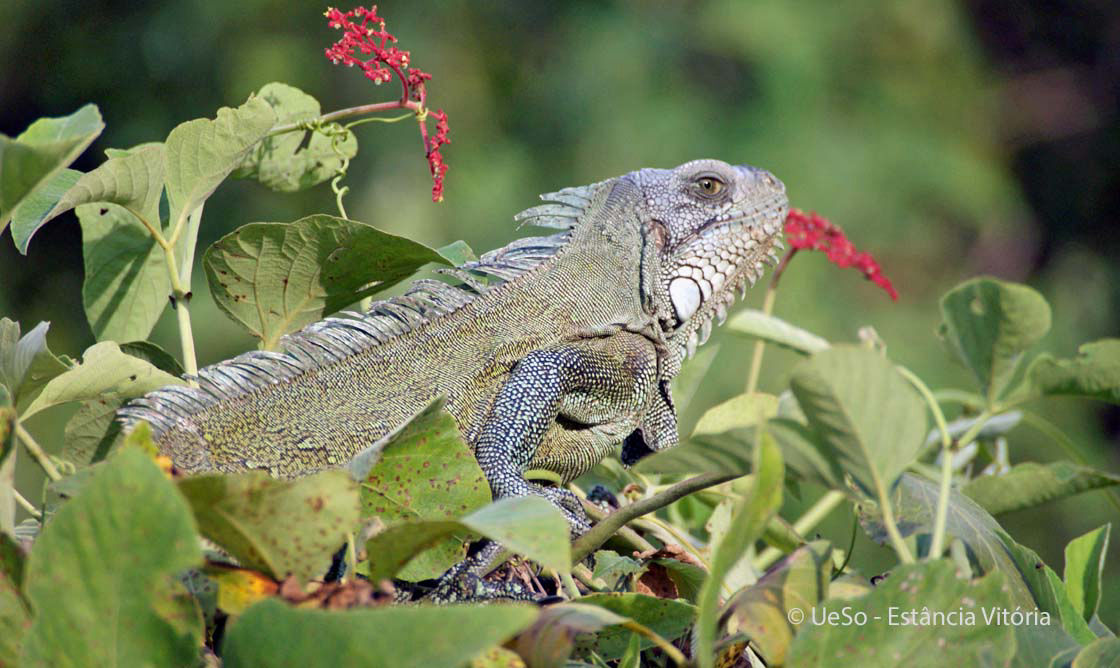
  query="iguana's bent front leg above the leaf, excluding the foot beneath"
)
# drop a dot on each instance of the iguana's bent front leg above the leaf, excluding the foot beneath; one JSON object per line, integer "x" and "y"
{"x": 593, "y": 382}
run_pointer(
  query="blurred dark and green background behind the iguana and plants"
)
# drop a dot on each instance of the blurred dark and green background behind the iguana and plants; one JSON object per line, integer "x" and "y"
{"x": 948, "y": 138}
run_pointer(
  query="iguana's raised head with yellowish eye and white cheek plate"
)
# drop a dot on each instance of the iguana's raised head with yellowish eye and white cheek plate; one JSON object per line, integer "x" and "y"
{"x": 715, "y": 226}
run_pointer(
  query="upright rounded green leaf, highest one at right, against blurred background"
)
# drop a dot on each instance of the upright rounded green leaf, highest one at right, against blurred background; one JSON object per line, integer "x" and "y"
{"x": 988, "y": 324}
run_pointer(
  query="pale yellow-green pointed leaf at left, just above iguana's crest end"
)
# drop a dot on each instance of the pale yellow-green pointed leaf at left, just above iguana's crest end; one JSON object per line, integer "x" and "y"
{"x": 105, "y": 369}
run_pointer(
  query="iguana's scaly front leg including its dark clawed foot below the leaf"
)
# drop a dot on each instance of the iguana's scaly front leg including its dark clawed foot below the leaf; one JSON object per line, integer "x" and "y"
{"x": 605, "y": 381}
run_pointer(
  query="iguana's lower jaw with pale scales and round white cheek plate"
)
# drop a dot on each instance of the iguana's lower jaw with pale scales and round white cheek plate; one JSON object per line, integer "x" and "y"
{"x": 723, "y": 259}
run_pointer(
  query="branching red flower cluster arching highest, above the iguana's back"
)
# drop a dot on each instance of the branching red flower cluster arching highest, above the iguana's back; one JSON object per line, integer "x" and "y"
{"x": 365, "y": 35}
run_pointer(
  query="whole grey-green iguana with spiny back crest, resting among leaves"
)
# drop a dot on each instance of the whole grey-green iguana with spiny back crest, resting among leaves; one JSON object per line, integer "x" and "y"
{"x": 552, "y": 351}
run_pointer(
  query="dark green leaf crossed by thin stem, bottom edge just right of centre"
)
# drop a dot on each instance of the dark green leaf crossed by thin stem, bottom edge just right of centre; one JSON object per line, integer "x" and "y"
{"x": 665, "y": 617}
